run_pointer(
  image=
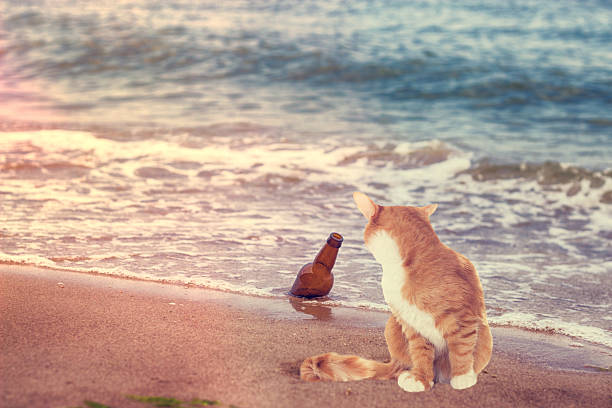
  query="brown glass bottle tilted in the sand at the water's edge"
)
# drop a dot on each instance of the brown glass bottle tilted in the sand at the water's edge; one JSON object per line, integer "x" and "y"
{"x": 316, "y": 278}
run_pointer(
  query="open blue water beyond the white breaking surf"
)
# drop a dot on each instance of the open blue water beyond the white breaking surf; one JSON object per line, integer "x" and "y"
{"x": 522, "y": 80}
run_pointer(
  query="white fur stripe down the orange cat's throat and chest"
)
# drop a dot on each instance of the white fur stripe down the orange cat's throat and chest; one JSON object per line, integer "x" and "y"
{"x": 386, "y": 252}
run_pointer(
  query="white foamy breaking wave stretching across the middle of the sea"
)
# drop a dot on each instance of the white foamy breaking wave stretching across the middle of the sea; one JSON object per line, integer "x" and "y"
{"x": 256, "y": 160}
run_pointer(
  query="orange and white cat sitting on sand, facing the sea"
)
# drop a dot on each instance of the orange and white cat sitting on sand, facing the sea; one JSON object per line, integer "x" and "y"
{"x": 438, "y": 329}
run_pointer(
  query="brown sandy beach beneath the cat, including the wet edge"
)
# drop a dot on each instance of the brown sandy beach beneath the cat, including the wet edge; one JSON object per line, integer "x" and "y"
{"x": 68, "y": 337}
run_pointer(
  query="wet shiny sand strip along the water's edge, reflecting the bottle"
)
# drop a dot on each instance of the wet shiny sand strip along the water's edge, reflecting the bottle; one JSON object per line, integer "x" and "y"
{"x": 564, "y": 351}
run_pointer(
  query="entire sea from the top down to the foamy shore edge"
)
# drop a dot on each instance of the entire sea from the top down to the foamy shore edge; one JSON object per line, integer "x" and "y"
{"x": 219, "y": 143}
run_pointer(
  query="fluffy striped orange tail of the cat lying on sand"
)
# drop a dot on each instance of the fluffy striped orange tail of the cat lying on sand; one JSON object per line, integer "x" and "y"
{"x": 337, "y": 367}
